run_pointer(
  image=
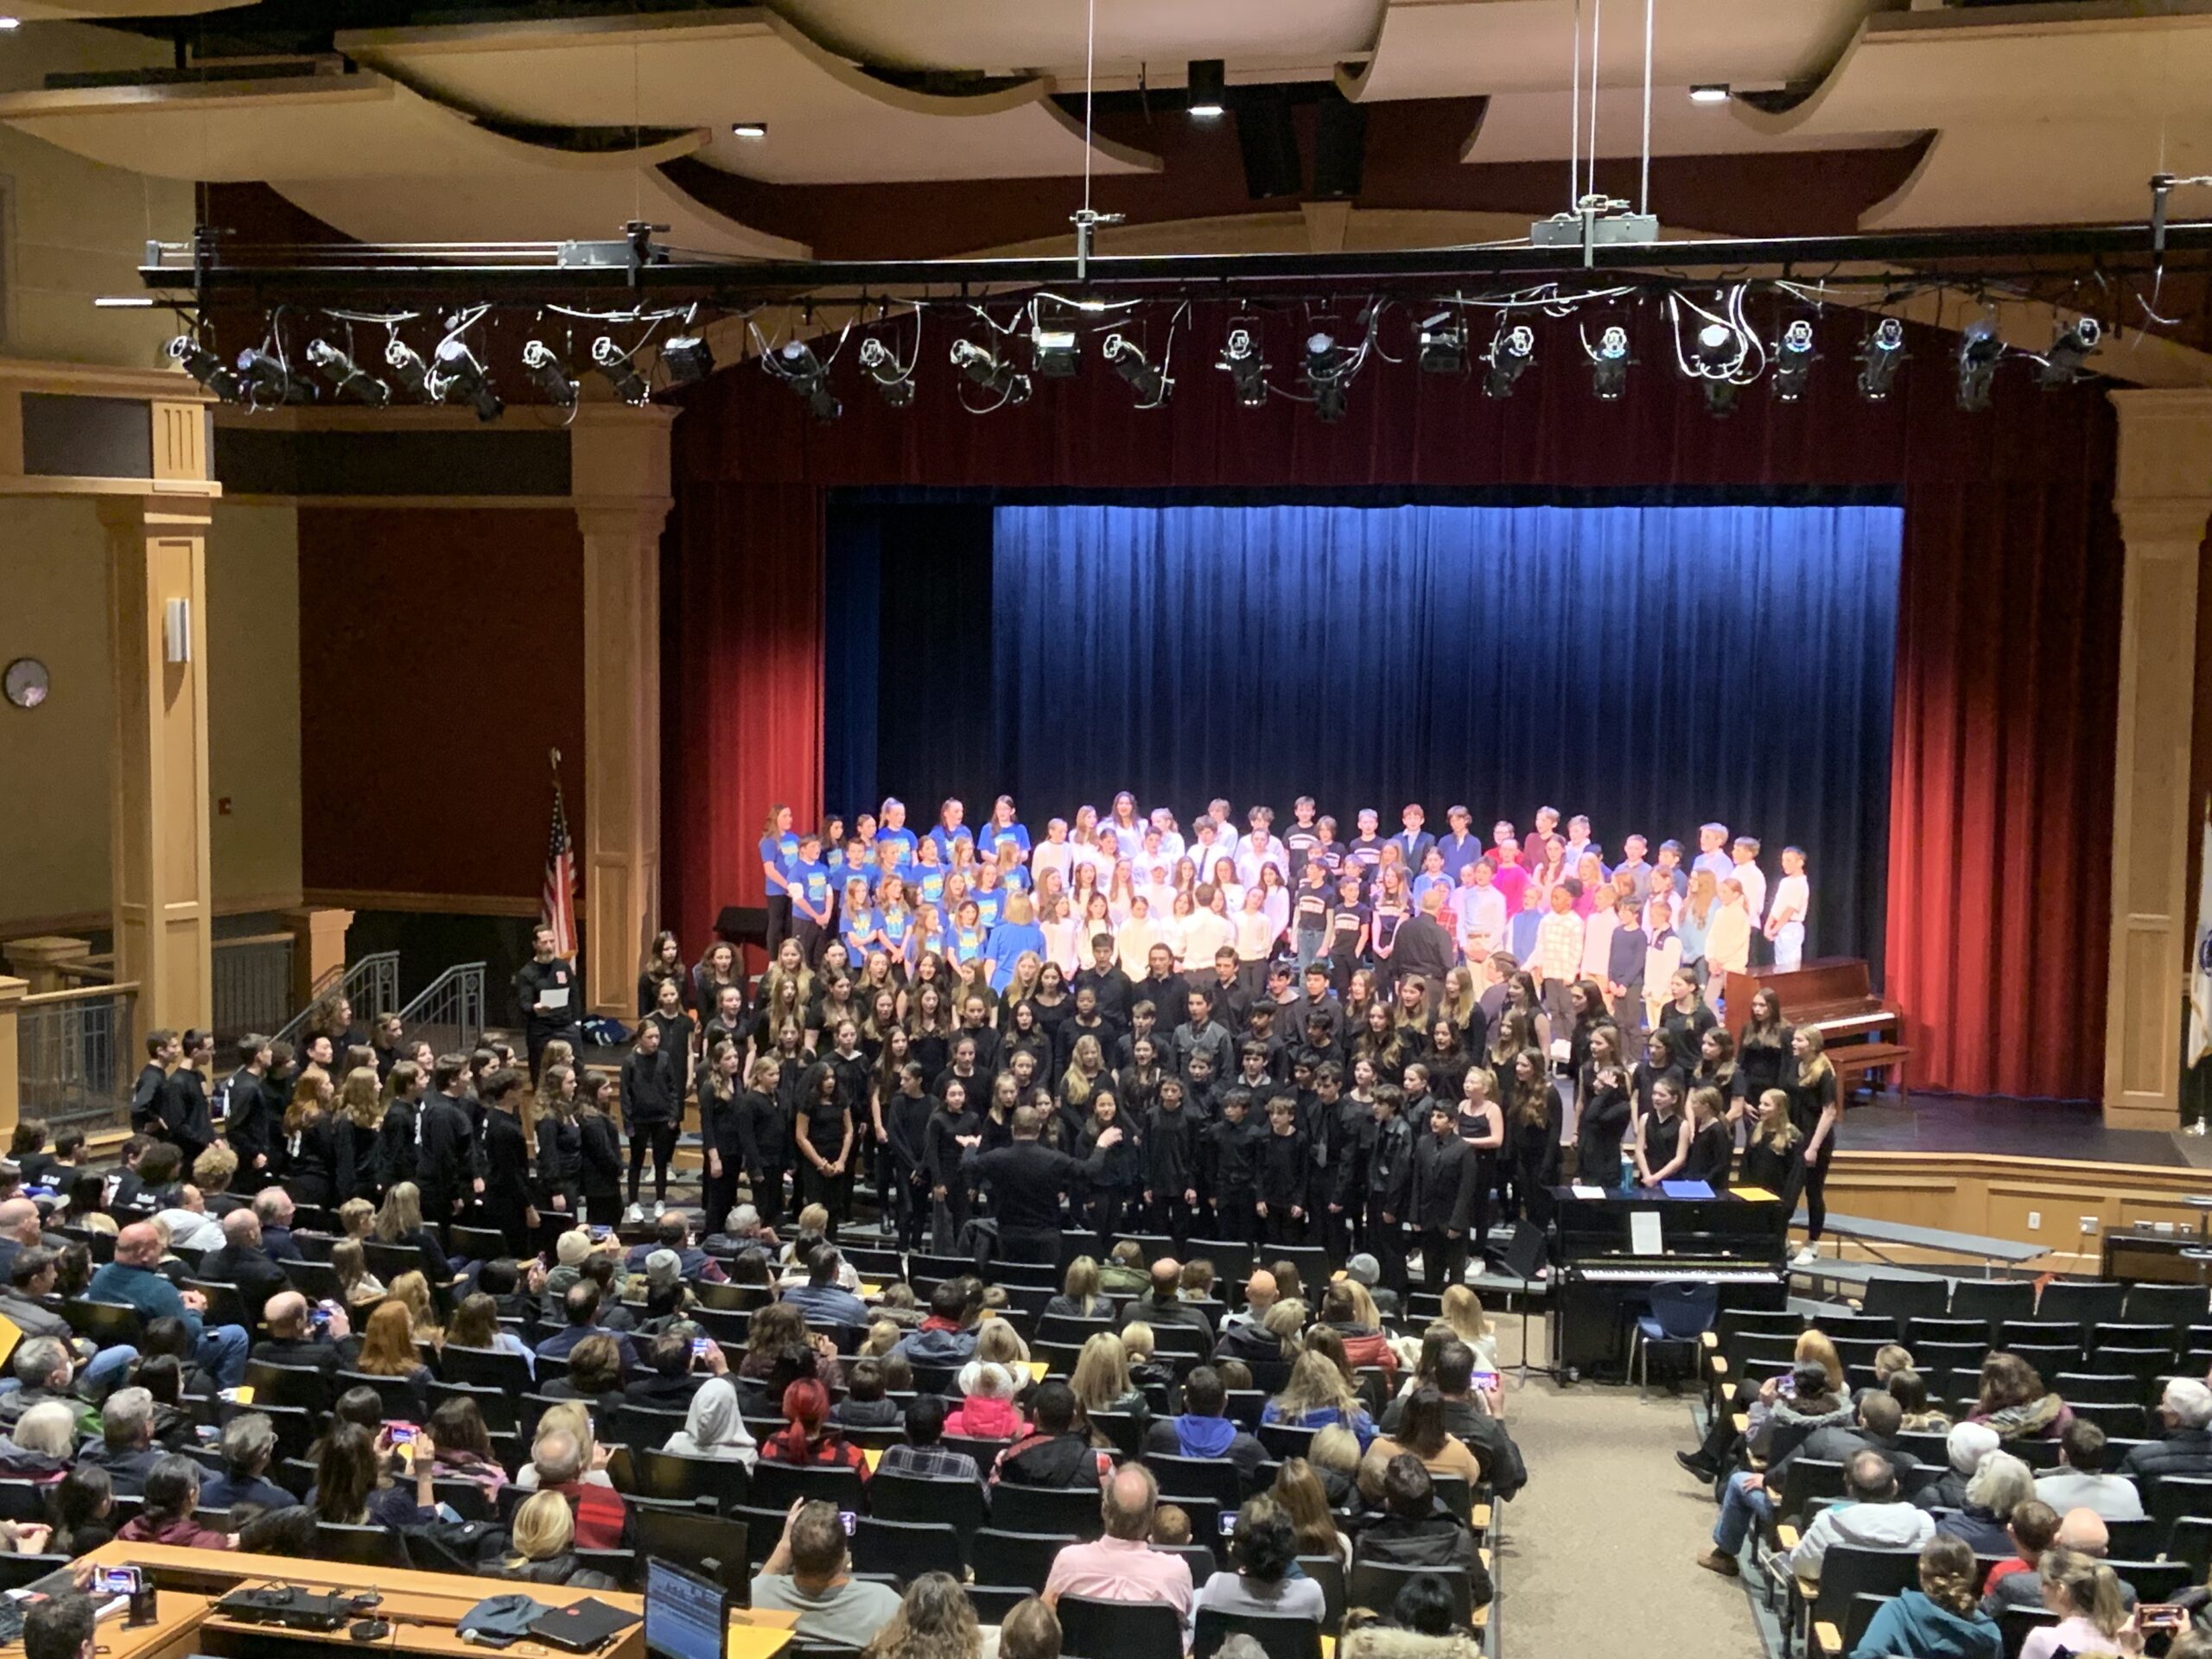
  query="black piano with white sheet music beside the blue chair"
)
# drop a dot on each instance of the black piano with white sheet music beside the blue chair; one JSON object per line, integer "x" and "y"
{"x": 1729, "y": 1242}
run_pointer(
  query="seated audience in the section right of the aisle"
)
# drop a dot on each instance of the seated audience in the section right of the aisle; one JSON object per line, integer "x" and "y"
{"x": 1992, "y": 1532}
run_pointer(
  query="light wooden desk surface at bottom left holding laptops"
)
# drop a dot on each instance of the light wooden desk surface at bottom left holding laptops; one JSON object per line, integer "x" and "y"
{"x": 421, "y": 1607}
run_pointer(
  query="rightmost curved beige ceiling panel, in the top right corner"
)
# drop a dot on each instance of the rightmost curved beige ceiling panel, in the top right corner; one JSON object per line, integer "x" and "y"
{"x": 2049, "y": 118}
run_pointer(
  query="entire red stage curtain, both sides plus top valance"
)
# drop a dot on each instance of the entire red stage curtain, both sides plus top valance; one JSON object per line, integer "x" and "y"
{"x": 2001, "y": 789}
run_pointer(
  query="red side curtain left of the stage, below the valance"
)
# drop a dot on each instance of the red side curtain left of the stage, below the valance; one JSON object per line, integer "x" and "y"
{"x": 742, "y": 689}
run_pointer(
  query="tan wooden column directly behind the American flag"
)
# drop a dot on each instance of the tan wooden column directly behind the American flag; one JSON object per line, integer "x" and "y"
{"x": 620, "y": 481}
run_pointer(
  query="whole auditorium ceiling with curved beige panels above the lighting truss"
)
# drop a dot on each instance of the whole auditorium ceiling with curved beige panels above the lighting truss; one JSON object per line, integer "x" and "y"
{"x": 868, "y": 129}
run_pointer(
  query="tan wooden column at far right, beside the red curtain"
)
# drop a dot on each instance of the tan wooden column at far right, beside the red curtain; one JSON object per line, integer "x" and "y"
{"x": 2162, "y": 499}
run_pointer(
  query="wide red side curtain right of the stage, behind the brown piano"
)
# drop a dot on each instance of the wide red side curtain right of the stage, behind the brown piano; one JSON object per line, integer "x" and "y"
{"x": 2001, "y": 784}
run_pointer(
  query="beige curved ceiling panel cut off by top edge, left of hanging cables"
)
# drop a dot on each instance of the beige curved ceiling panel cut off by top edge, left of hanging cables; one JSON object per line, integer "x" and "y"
{"x": 1010, "y": 36}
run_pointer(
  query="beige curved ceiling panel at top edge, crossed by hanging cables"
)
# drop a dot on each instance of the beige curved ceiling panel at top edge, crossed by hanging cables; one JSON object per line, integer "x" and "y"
{"x": 1459, "y": 48}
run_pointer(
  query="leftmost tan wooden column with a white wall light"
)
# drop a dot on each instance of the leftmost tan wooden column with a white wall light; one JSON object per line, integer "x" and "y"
{"x": 158, "y": 559}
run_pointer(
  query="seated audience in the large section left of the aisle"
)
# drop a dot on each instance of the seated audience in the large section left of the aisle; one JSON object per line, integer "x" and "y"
{"x": 116, "y": 1434}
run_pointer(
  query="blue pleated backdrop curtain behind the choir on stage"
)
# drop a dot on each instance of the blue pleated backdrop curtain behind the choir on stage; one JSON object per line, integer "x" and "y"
{"x": 1653, "y": 667}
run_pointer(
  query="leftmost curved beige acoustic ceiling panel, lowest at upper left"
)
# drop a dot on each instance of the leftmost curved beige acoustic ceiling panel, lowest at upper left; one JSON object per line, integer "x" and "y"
{"x": 379, "y": 163}
